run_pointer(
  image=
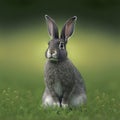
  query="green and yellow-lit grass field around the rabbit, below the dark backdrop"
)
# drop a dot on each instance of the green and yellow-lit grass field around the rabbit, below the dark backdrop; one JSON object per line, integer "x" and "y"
{"x": 96, "y": 54}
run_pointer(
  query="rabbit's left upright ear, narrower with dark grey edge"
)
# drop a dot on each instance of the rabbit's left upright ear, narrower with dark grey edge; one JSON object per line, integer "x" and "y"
{"x": 52, "y": 27}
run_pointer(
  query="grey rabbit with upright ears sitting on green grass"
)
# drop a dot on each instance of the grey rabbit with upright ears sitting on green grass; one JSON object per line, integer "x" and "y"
{"x": 64, "y": 84}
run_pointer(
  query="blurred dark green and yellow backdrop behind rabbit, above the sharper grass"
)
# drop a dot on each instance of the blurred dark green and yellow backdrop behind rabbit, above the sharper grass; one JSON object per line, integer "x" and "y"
{"x": 94, "y": 48}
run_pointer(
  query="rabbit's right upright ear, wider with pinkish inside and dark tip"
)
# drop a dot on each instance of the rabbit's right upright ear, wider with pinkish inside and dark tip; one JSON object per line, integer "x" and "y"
{"x": 68, "y": 28}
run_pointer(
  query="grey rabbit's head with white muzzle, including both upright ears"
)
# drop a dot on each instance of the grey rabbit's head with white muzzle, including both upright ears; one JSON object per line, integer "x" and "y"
{"x": 56, "y": 50}
